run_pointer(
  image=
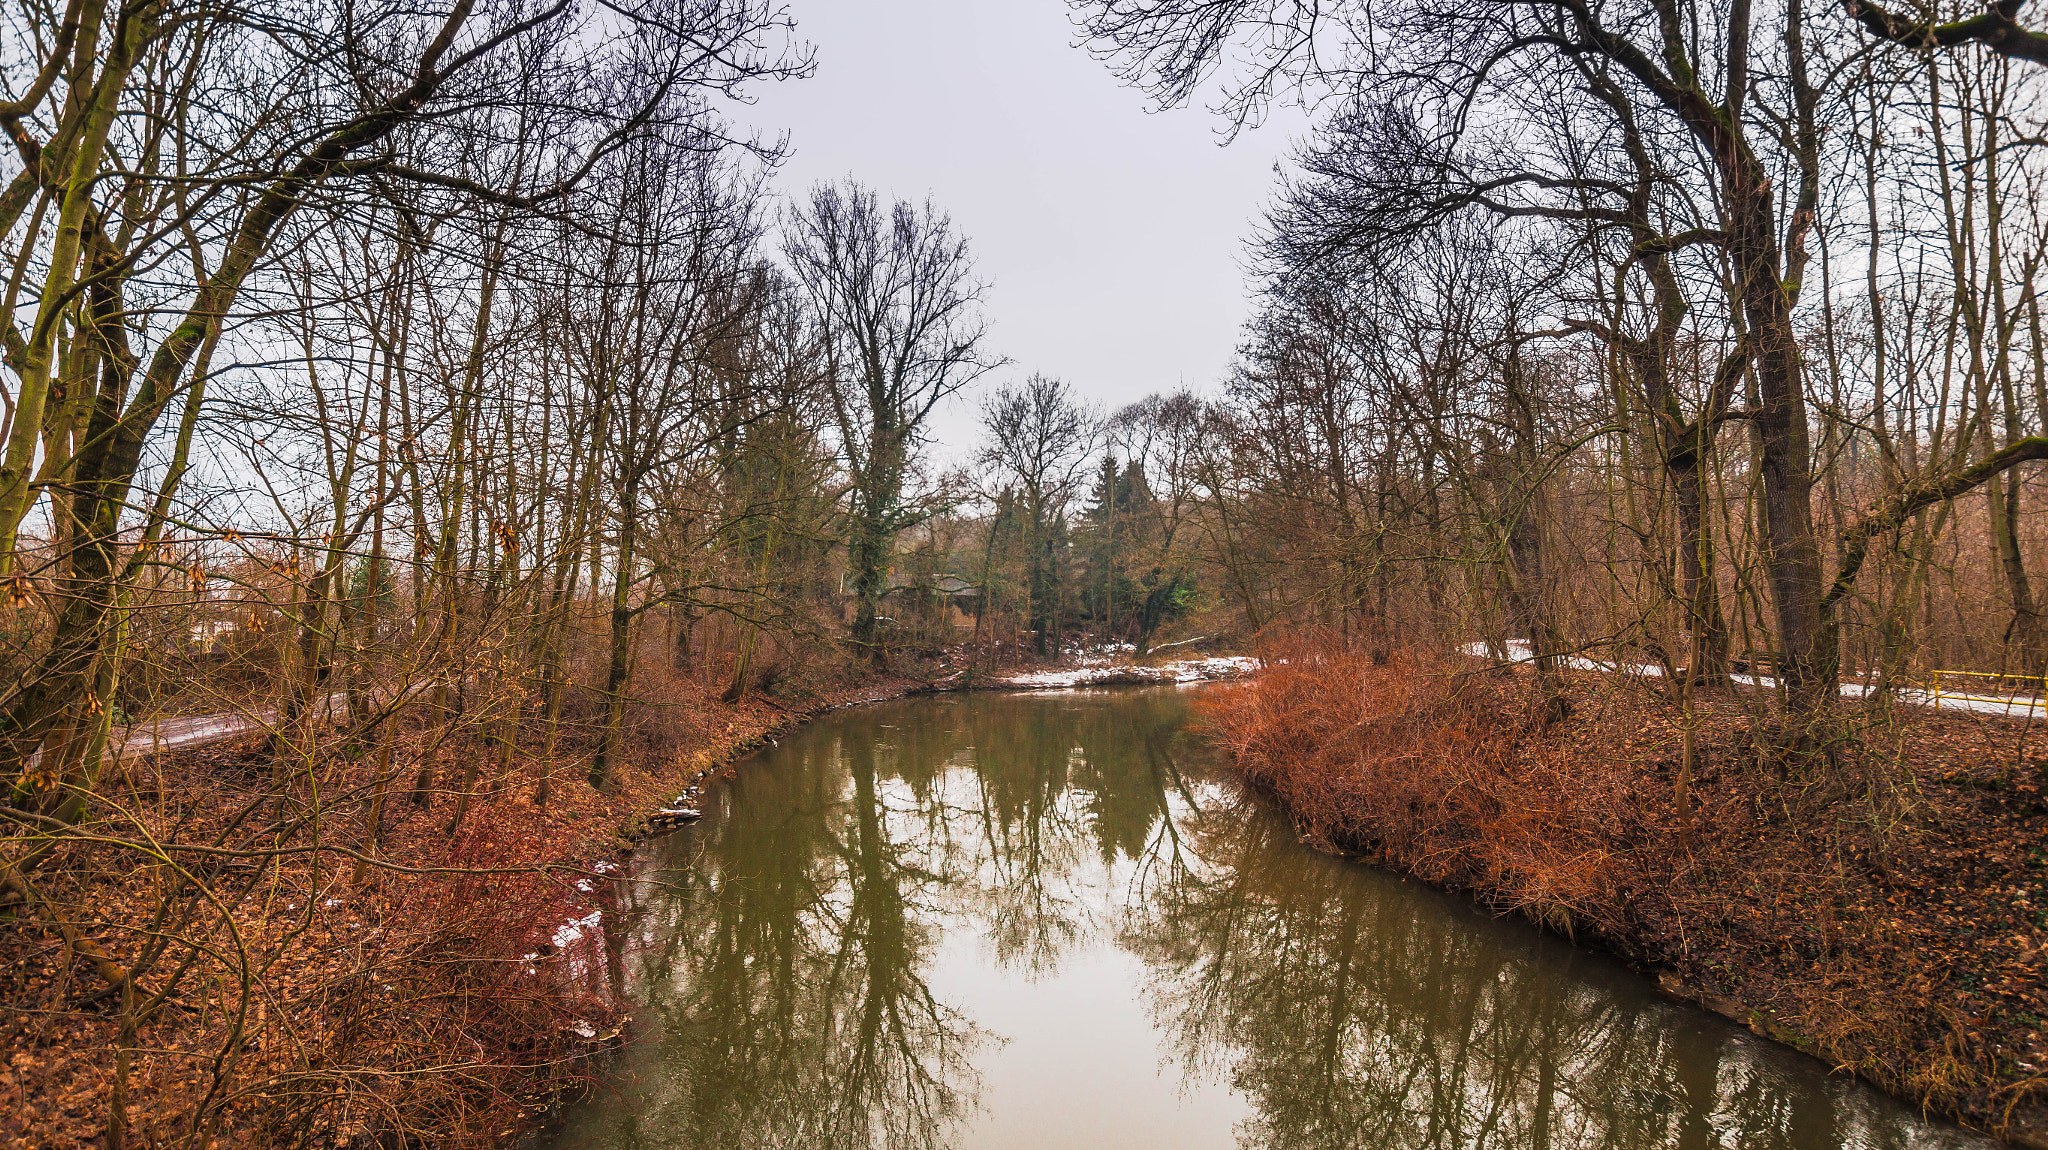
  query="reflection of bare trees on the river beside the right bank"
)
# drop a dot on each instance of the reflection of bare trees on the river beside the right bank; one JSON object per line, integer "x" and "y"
{"x": 1357, "y": 1010}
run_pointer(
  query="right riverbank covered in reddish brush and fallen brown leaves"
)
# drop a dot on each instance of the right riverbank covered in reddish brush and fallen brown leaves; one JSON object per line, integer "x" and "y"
{"x": 1887, "y": 916}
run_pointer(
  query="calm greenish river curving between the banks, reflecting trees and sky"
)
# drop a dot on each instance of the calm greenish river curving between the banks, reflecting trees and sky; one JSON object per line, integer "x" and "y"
{"x": 1050, "y": 920}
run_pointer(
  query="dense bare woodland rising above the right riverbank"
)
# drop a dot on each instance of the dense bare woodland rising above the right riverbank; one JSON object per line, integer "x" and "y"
{"x": 1705, "y": 335}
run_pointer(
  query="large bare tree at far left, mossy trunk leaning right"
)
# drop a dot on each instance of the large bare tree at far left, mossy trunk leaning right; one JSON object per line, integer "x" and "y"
{"x": 171, "y": 218}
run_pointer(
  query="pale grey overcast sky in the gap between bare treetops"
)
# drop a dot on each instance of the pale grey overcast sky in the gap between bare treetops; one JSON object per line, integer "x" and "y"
{"x": 1113, "y": 236}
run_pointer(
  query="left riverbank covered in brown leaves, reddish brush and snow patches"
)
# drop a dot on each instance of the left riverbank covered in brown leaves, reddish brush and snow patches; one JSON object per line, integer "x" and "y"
{"x": 286, "y": 996}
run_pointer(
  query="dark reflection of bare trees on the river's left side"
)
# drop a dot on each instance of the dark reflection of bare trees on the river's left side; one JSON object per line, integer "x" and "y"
{"x": 779, "y": 961}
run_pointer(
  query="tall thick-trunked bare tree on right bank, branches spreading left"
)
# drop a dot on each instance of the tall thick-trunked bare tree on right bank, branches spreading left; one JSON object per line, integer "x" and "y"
{"x": 1736, "y": 122}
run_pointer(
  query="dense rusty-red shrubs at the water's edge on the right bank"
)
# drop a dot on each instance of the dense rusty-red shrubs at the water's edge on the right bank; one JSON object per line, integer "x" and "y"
{"x": 1433, "y": 772}
